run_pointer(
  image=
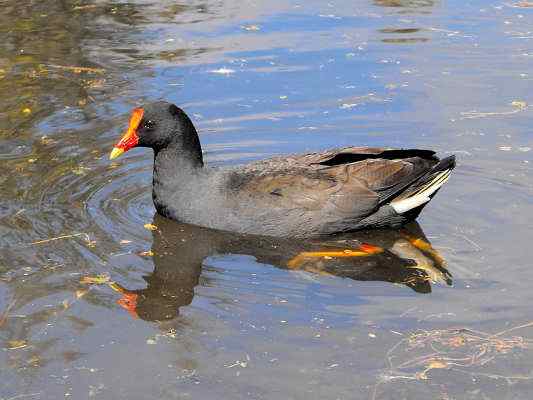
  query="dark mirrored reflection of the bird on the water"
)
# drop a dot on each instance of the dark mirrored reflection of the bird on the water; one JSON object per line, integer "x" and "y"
{"x": 403, "y": 257}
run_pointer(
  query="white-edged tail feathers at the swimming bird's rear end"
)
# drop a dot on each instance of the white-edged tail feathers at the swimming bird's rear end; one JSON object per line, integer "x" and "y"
{"x": 421, "y": 191}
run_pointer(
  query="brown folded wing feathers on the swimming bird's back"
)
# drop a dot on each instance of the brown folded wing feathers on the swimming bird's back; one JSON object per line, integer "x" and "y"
{"x": 349, "y": 182}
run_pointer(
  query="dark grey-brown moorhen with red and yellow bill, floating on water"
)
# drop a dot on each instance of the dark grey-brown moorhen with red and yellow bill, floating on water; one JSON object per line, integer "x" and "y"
{"x": 295, "y": 196}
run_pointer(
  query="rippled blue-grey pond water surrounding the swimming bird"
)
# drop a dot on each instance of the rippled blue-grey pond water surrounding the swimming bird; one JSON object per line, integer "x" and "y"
{"x": 219, "y": 316}
